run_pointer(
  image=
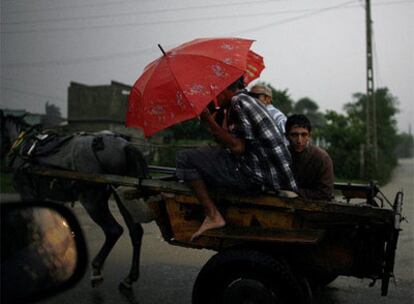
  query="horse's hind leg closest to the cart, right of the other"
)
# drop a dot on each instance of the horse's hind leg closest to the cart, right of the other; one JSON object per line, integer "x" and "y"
{"x": 136, "y": 232}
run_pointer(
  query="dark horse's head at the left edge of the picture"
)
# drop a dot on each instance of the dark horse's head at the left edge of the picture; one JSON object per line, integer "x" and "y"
{"x": 11, "y": 127}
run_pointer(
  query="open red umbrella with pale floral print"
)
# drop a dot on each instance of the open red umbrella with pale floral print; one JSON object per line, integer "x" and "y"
{"x": 179, "y": 85}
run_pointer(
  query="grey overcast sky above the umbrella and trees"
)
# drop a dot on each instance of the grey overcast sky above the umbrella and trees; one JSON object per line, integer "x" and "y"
{"x": 313, "y": 48}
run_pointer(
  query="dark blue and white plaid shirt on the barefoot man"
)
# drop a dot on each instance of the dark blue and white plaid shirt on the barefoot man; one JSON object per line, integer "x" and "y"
{"x": 266, "y": 158}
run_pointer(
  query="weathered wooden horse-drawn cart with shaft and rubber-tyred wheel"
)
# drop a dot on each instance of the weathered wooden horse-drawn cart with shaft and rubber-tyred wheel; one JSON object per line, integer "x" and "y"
{"x": 274, "y": 249}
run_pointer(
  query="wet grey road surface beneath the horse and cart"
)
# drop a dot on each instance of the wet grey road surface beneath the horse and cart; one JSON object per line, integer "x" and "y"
{"x": 168, "y": 272}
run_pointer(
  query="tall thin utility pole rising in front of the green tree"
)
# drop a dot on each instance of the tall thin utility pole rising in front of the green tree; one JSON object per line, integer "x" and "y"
{"x": 371, "y": 116}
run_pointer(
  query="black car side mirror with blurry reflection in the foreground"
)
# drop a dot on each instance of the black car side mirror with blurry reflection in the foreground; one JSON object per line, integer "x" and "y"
{"x": 43, "y": 251}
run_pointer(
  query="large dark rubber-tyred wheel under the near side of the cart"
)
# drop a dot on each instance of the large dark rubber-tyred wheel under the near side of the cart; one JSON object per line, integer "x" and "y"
{"x": 247, "y": 276}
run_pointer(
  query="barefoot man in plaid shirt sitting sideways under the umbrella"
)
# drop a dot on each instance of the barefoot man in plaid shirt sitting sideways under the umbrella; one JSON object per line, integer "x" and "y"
{"x": 254, "y": 157}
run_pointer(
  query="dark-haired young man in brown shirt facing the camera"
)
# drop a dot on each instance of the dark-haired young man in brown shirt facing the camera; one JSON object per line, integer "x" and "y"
{"x": 312, "y": 166}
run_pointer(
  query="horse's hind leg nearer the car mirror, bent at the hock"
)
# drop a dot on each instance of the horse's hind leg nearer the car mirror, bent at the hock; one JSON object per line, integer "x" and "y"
{"x": 96, "y": 205}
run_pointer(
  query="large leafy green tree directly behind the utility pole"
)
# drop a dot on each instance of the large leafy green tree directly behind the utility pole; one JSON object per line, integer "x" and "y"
{"x": 346, "y": 135}
